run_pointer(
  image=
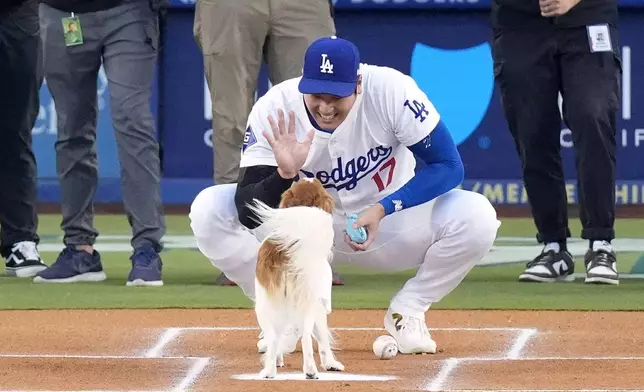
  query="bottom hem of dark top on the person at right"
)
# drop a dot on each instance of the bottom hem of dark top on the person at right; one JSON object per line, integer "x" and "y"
{"x": 512, "y": 14}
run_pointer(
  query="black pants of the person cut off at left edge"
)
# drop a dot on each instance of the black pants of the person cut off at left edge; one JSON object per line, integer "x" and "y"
{"x": 20, "y": 81}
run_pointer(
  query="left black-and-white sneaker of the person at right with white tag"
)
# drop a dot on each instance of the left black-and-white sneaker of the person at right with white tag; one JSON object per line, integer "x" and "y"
{"x": 549, "y": 266}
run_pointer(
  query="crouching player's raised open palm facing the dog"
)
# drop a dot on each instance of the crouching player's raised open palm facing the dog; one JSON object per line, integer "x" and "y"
{"x": 290, "y": 154}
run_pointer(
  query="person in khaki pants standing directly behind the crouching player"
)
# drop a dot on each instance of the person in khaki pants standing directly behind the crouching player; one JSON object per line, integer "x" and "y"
{"x": 234, "y": 37}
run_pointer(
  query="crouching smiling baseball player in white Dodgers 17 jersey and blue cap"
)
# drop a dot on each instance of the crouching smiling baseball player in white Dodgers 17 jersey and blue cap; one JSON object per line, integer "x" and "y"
{"x": 356, "y": 128}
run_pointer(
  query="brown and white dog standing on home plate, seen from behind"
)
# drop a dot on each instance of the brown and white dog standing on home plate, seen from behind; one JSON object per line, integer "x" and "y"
{"x": 293, "y": 276}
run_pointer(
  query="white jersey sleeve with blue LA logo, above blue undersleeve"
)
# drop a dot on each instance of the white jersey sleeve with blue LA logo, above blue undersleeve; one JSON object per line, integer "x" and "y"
{"x": 412, "y": 116}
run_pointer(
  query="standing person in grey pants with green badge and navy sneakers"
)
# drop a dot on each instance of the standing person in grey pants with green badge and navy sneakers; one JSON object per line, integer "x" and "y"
{"x": 123, "y": 35}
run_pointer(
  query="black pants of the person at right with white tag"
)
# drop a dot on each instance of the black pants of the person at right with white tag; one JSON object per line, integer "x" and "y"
{"x": 531, "y": 68}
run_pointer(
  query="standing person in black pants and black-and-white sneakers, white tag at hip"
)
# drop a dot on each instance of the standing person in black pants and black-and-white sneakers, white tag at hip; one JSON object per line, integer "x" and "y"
{"x": 542, "y": 48}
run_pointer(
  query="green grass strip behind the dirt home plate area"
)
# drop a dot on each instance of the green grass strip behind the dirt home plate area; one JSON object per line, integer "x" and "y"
{"x": 189, "y": 281}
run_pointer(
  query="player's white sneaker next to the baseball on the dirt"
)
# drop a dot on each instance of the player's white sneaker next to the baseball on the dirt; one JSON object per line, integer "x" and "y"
{"x": 410, "y": 333}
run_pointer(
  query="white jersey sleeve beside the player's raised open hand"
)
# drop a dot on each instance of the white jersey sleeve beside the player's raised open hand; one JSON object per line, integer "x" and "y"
{"x": 256, "y": 150}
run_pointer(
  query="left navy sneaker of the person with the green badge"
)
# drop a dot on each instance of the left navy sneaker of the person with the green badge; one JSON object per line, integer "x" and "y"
{"x": 73, "y": 265}
